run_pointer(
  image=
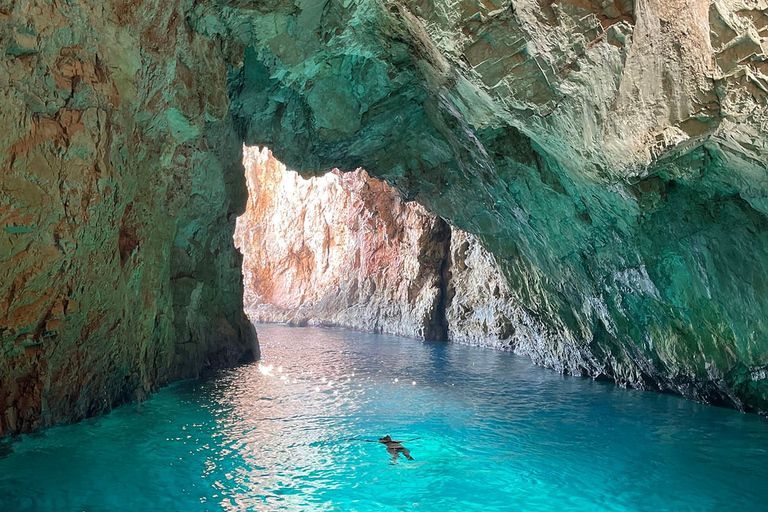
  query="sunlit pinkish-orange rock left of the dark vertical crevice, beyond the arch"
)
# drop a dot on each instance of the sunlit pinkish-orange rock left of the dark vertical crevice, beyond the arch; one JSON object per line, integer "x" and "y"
{"x": 341, "y": 250}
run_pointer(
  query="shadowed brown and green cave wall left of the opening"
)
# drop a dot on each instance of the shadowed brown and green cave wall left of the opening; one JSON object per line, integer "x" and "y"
{"x": 120, "y": 183}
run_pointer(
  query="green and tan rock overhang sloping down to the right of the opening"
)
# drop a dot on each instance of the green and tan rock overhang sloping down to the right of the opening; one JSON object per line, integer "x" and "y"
{"x": 610, "y": 156}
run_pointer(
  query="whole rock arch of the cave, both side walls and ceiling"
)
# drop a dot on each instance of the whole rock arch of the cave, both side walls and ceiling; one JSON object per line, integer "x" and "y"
{"x": 611, "y": 155}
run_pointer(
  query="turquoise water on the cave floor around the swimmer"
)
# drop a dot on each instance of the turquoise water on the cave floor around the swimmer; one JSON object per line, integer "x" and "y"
{"x": 496, "y": 434}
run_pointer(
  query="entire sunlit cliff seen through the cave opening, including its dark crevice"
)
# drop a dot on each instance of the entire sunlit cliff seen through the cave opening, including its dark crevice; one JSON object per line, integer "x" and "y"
{"x": 345, "y": 250}
